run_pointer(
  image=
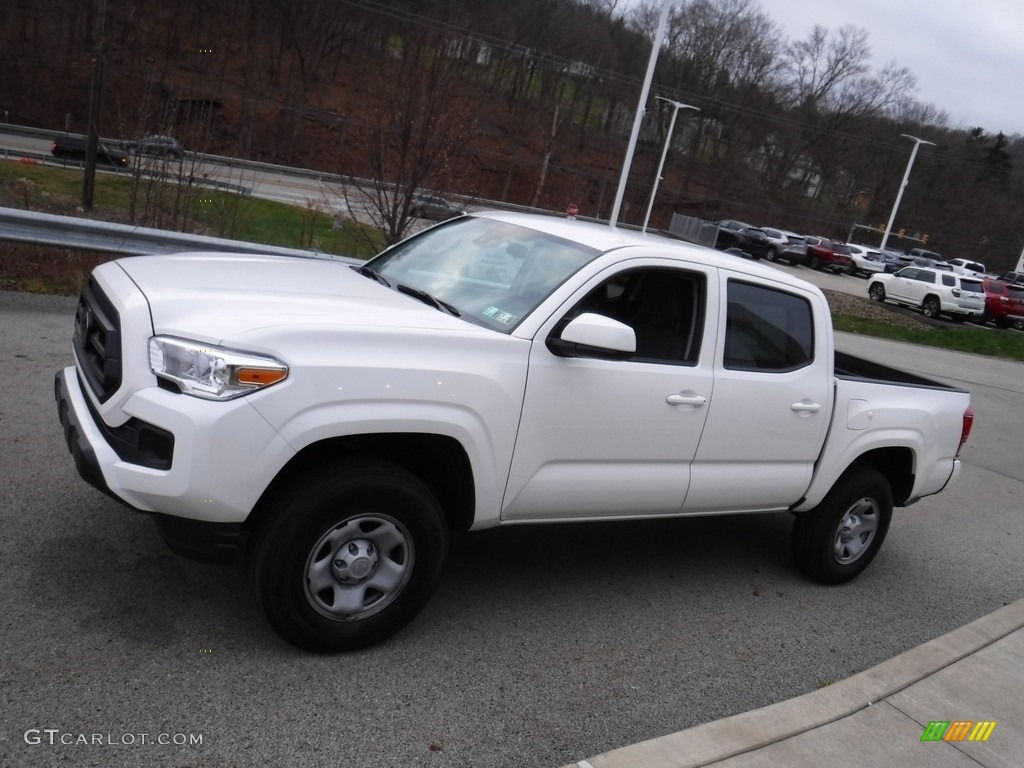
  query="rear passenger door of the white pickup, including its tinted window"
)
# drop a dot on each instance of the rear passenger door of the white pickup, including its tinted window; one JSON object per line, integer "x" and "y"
{"x": 774, "y": 394}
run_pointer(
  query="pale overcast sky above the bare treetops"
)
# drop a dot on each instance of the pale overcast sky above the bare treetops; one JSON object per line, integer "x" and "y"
{"x": 968, "y": 56}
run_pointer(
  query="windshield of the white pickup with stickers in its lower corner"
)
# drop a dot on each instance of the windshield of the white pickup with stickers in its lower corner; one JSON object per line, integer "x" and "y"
{"x": 492, "y": 273}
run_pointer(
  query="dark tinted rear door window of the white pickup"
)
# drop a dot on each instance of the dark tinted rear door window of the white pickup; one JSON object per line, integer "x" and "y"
{"x": 767, "y": 330}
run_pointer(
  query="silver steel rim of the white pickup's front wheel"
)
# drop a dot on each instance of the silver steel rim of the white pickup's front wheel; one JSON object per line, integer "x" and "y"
{"x": 359, "y": 568}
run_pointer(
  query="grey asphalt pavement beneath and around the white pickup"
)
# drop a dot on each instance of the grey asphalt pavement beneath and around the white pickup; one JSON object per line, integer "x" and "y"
{"x": 543, "y": 646}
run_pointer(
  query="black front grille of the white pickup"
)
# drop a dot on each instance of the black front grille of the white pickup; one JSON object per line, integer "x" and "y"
{"x": 98, "y": 342}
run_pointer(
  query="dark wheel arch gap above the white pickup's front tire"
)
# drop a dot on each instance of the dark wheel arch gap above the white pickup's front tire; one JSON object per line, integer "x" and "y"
{"x": 440, "y": 462}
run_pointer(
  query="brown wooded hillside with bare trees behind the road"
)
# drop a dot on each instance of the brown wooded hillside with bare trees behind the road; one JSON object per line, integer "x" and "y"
{"x": 530, "y": 102}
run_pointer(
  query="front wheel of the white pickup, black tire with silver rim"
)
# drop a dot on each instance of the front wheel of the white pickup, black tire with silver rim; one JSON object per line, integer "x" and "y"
{"x": 349, "y": 557}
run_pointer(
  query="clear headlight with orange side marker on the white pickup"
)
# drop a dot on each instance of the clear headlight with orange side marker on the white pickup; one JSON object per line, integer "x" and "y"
{"x": 210, "y": 372}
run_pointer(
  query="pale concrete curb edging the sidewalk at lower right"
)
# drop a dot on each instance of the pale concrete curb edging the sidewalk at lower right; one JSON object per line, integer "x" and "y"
{"x": 737, "y": 736}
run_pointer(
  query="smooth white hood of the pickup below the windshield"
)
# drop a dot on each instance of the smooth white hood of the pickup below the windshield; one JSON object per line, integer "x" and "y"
{"x": 217, "y": 296}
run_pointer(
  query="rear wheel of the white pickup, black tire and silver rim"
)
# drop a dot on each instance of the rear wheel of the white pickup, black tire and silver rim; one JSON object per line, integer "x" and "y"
{"x": 837, "y": 540}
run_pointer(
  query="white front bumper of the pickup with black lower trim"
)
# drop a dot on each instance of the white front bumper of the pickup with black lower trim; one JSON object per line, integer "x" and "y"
{"x": 225, "y": 455}
